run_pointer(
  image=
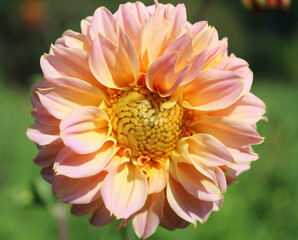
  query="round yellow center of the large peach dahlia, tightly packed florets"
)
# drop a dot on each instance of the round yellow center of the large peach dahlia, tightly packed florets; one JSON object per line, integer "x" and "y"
{"x": 140, "y": 123}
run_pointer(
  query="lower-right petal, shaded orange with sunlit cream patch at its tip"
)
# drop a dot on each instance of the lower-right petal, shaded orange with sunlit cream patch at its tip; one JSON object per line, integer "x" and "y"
{"x": 196, "y": 183}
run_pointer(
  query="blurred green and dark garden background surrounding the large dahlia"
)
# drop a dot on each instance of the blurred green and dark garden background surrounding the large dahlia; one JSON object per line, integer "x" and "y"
{"x": 263, "y": 205}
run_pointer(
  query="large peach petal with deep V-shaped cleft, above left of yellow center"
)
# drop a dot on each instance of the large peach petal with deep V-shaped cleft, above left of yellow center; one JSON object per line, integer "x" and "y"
{"x": 115, "y": 66}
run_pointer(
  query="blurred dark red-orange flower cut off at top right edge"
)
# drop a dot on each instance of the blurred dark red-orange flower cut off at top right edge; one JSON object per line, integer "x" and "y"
{"x": 267, "y": 4}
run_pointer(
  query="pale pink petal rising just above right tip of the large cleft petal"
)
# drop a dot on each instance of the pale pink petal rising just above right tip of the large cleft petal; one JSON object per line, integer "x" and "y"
{"x": 130, "y": 24}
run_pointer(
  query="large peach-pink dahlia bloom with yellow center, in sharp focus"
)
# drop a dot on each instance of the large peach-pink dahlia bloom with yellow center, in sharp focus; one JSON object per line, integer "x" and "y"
{"x": 144, "y": 116}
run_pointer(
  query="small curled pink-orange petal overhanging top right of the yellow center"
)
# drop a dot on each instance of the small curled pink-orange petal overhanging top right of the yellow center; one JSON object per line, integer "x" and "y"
{"x": 162, "y": 76}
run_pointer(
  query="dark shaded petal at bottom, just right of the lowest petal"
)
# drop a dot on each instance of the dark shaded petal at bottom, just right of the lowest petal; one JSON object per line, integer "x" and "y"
{"x": 170, "y": 220}
